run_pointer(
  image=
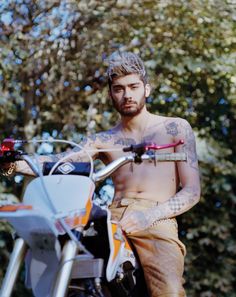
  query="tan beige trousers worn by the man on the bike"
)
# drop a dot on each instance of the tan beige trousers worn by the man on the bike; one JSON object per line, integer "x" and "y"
{"x": 160, "y": 251}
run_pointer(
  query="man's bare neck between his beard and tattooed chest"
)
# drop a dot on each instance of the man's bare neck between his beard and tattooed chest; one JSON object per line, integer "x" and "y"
{"x": 137, "y": 122}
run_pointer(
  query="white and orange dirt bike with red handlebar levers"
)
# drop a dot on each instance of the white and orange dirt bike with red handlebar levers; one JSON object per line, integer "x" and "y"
{"x": 70, "y": 245}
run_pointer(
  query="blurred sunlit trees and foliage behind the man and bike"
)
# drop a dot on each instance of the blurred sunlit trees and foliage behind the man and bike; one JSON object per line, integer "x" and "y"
{"x": 53, "y": 84}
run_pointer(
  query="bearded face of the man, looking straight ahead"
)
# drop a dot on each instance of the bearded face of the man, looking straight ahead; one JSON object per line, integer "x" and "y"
{"x": 128, "y": 94}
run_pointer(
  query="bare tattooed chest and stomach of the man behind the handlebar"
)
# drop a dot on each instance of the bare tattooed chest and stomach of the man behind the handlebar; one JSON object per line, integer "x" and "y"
{"x": 149, "y": 181}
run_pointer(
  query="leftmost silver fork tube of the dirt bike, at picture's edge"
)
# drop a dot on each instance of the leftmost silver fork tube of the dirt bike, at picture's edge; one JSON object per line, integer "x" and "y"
{"x": 16, "y": 259}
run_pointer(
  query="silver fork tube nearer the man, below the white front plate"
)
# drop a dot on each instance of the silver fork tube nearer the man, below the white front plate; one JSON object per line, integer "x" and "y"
{"x": 65, "y": 268}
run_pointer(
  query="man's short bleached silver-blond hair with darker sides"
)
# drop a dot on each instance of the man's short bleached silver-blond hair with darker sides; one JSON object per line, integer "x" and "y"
{"x": 124, "y": 63}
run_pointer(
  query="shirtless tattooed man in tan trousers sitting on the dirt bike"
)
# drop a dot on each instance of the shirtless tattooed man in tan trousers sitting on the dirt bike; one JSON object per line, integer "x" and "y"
{"x": 147, "y": 197}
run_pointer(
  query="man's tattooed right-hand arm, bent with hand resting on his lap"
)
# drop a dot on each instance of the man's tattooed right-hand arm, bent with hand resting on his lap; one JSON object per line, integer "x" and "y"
{"x": 183, "y": 200}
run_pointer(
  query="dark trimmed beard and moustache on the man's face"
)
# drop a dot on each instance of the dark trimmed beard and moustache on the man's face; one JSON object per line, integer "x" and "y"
{"x": 132, "y": 111}
